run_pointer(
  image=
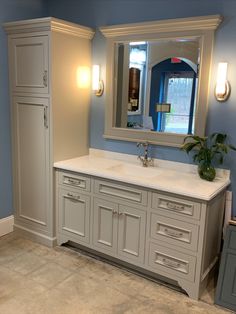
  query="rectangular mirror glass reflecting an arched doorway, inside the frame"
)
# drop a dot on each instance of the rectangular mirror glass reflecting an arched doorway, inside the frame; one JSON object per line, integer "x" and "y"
{"x": 156, "y": 85}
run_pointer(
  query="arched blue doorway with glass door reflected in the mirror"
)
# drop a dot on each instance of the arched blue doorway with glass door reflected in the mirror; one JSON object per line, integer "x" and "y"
{"x": 174, "y": 81}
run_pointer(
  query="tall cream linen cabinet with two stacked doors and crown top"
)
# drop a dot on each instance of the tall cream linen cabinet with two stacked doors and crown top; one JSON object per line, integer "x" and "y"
{"x": 49, "y": 113}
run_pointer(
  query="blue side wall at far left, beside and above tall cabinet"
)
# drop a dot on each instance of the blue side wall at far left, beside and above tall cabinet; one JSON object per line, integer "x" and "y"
{"x": 10, "y": 10}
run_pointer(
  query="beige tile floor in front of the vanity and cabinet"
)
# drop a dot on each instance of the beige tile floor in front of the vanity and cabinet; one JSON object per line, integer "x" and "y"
{"x": 35, "y": 279}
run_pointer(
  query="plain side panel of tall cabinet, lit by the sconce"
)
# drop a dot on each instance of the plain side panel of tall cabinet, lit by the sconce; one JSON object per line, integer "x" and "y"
{"x": 70, "y": 104}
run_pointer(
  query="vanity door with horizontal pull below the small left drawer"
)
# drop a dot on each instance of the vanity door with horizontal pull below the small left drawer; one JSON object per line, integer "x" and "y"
{"x": 74, "y": 215}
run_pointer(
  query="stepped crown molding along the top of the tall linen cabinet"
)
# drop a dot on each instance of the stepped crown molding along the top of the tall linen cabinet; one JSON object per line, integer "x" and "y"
{"x": 48, "y": 24}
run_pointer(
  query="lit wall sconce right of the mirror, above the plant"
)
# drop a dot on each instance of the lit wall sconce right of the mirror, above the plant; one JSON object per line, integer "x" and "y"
{"x": 222, "y": 89}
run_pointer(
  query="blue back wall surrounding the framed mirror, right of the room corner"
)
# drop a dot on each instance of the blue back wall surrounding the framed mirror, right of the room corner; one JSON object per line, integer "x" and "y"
{"x": 95, "y": 13}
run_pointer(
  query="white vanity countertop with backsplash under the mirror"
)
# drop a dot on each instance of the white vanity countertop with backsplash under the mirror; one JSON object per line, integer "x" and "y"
{"x": 165, "y": 176}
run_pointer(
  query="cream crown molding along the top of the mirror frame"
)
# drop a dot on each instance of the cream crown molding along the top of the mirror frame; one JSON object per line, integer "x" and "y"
{"x": 210, "y": 22}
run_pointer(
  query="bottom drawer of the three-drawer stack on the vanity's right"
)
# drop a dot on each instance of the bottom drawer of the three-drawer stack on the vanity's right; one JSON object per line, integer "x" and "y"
{"x": 174, "y": 263}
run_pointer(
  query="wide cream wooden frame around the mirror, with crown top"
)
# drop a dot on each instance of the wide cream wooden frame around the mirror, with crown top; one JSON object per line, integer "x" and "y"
{"x": 203, "y": 28}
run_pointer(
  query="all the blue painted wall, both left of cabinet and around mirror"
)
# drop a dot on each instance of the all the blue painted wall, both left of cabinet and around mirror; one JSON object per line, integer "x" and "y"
{"x": 95, "y": 13}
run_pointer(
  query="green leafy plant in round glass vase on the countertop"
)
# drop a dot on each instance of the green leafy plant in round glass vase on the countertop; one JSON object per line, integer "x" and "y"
{"x": 208, "y": 151}
